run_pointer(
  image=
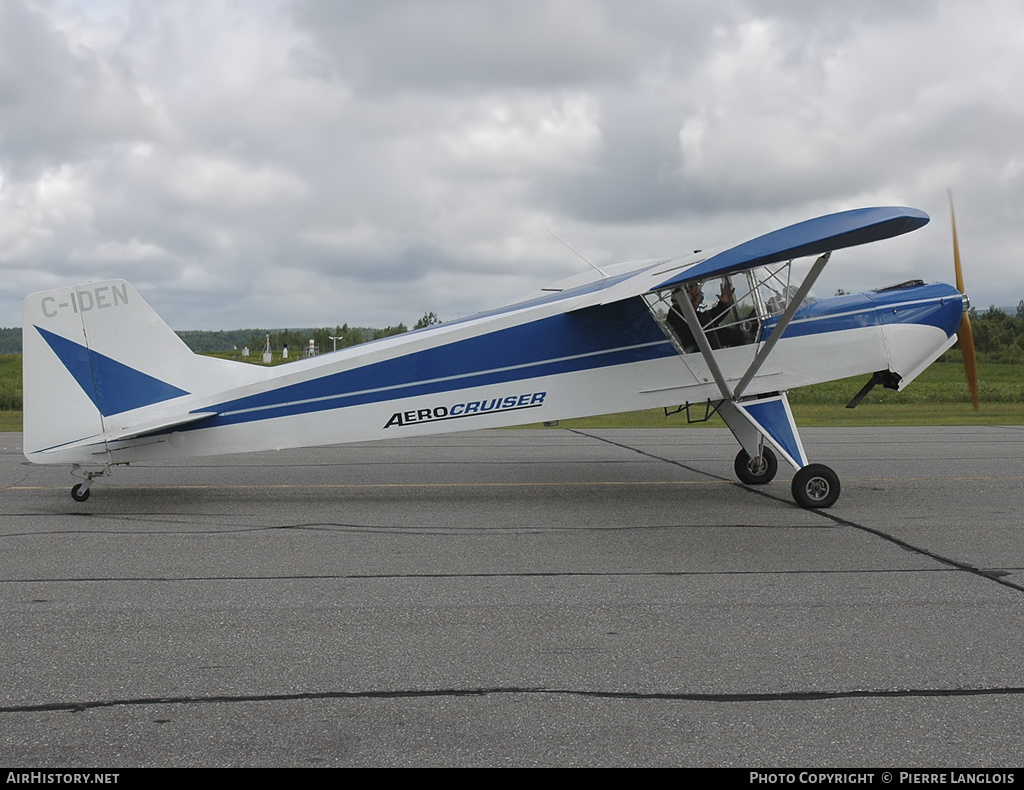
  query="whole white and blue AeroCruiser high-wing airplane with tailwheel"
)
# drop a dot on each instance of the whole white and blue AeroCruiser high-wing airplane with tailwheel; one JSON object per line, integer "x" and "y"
{"x": 107, "y": 383}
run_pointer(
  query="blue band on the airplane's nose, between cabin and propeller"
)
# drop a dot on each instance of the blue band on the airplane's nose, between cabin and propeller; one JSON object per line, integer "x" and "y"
{"x": 935, "y": 305}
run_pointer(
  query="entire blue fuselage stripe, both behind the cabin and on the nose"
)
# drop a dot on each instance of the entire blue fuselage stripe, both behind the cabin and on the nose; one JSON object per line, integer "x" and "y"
{"x": 619, "y": 334}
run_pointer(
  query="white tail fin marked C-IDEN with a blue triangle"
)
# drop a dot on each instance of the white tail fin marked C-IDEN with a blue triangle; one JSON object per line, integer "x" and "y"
{"x": 98, "y": 359}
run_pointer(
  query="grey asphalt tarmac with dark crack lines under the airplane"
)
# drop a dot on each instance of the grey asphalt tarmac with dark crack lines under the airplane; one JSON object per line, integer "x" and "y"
{"x": 520, "y": 598}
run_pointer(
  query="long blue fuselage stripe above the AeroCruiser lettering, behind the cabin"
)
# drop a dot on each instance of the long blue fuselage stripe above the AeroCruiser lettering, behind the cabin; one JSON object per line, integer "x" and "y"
{"x": 620, "y": 334}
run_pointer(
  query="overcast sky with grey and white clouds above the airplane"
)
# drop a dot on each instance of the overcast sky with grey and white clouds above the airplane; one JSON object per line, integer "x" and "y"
{"x": 314, "y": 162}
